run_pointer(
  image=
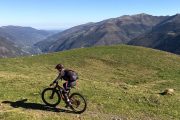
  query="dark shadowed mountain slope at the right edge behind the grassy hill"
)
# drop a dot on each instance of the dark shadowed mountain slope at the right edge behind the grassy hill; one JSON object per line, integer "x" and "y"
{"x": 164, "y": 36}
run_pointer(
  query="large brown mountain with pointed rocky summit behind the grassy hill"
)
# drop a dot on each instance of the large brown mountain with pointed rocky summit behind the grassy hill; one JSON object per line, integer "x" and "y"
{"x": 112, "y": 31}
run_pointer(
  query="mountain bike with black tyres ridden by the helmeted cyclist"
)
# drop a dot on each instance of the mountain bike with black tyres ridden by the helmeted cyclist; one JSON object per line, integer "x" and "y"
{"x": 52, "y": 97}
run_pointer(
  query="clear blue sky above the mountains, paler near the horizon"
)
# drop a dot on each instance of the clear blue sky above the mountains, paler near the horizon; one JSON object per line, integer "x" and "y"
{"x": 61, "y": 14}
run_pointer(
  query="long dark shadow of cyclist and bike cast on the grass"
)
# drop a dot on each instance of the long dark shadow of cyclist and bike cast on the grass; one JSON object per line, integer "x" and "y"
{"x": 35, "y": 106}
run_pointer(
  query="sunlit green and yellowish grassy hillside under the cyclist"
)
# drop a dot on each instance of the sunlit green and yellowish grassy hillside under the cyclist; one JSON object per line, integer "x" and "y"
{"x": 118, "y": 82}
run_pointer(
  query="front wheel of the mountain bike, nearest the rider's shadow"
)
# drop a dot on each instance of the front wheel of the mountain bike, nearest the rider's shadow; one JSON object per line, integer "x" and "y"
{"x": 51, "y": 97}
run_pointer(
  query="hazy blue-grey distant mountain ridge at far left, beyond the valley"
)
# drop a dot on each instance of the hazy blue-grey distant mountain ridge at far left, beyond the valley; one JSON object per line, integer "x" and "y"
{"x": 23, "y": 35}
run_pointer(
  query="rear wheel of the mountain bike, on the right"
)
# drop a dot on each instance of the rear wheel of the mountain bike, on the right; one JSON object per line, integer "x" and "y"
{"x": 79, "y": 104}
